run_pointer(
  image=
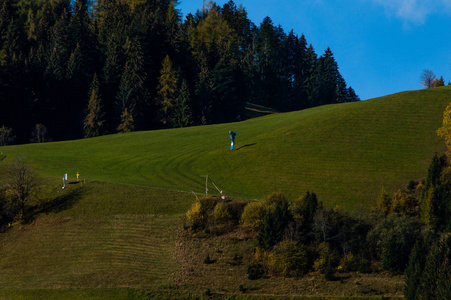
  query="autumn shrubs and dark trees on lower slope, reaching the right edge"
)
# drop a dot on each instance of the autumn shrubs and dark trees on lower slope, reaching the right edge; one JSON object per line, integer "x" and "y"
{"x": 293, "y": 238}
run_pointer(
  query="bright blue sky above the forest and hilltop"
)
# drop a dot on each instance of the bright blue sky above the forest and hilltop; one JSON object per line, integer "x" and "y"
{"x": 381, "y": 46}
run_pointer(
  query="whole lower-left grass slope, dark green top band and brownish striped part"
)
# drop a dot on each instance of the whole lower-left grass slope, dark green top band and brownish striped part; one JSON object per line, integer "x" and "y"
{"x": 100, "y": 235}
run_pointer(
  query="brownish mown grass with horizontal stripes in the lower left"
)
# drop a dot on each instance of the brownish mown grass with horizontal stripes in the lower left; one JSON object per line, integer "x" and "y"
{"x": 101, "y": 252}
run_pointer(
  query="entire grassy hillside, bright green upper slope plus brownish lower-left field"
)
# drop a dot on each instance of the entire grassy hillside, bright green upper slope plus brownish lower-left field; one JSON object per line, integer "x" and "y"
{"x": 116, "y": 237}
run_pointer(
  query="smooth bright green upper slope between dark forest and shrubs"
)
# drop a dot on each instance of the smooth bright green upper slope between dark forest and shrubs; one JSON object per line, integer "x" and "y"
{"x": 344, "y": 152}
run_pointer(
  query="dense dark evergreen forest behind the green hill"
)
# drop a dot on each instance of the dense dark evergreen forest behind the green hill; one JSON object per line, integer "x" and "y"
{"x": 72, "y": 69}
